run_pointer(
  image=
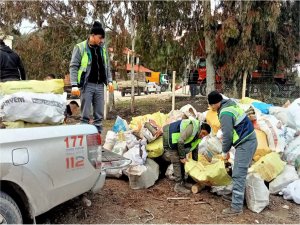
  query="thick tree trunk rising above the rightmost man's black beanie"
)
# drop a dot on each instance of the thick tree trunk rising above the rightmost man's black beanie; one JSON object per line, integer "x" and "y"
{"x": 210, "y": 72}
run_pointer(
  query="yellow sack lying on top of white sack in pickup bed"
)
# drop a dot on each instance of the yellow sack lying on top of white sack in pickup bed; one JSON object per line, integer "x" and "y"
{"x": 55, "y": 86}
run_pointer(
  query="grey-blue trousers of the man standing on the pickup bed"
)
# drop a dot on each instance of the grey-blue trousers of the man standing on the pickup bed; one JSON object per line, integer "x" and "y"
{"x": 92, "y": 97}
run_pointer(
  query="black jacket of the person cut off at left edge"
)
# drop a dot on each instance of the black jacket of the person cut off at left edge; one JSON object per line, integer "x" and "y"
{"x": 11, "y": 65}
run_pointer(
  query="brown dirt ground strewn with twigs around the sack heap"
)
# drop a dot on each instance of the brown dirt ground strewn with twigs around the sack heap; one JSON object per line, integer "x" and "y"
{"x": 117, "y": 203}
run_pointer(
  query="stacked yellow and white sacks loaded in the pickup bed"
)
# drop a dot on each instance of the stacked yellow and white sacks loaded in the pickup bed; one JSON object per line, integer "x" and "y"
{"x": 32, "y": 103}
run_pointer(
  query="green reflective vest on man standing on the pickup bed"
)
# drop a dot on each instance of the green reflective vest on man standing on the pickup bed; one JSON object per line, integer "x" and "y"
{"x": 86, "y": 58}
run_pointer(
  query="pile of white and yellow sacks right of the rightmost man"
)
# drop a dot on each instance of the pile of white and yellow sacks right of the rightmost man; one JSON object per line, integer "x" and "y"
{"x": 277, "y": 159}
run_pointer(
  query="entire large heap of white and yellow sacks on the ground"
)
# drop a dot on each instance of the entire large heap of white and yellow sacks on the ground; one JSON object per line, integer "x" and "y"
{"x": 276, "y": 161}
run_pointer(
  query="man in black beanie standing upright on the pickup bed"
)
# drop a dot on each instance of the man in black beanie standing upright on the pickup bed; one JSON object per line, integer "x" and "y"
{"x": 90, "y": 71}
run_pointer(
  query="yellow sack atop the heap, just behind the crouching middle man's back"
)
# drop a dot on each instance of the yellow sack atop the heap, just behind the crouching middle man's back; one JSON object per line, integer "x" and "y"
{"x": 137, "y": 122}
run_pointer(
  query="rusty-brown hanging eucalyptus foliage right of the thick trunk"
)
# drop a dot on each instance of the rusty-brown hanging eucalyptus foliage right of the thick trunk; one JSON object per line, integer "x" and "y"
{"x": 252, "y": 31}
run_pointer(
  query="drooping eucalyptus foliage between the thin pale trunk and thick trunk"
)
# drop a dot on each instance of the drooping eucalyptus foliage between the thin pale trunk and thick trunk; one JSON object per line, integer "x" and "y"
{"x": 167, "y": 37}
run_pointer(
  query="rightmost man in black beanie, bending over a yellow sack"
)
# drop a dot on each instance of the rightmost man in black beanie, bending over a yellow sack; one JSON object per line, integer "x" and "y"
{"x": 237, "y": 131}
